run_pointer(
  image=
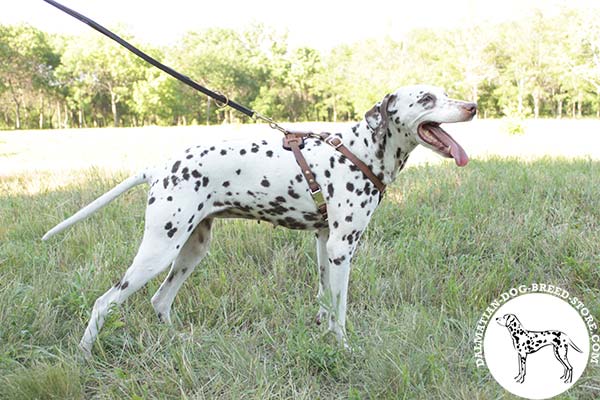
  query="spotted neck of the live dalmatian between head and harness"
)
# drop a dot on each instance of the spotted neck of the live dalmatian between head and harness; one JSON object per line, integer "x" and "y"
{"x": 385, "y": 154}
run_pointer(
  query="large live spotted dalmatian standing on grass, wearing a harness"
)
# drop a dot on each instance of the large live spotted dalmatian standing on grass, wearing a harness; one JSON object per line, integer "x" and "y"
{"x": 260, "y": 180}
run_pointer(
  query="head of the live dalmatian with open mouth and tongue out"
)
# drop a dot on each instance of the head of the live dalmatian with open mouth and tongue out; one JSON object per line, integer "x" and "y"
{"x": 418, "y": 111}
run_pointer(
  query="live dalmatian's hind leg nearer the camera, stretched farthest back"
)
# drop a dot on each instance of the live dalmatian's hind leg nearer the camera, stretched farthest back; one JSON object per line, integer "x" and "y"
{"x": 157, "y": 250}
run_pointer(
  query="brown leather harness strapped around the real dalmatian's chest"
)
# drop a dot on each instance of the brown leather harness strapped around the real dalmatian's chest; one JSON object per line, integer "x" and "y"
{"x": 294, "y": 141}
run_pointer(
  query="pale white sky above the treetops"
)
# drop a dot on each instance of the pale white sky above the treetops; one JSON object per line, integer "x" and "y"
{"x": 319, "y": 24}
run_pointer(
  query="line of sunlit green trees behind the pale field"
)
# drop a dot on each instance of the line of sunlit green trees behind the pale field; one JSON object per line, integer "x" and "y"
{"x": 534, "y": 67}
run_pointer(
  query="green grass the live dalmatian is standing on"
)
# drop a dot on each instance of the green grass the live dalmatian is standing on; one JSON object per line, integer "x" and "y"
{"x": 444, "y": 243}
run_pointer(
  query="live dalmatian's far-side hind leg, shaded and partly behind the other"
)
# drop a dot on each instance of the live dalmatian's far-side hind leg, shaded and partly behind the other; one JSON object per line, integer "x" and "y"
{"x": 192, "y": 252}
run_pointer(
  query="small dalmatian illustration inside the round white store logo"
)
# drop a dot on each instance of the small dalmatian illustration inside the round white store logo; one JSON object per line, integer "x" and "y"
{"x": 528, "y": 342}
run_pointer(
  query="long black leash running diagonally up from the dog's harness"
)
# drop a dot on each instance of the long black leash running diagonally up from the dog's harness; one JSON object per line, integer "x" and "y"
{"x": 224, "y": 100}
